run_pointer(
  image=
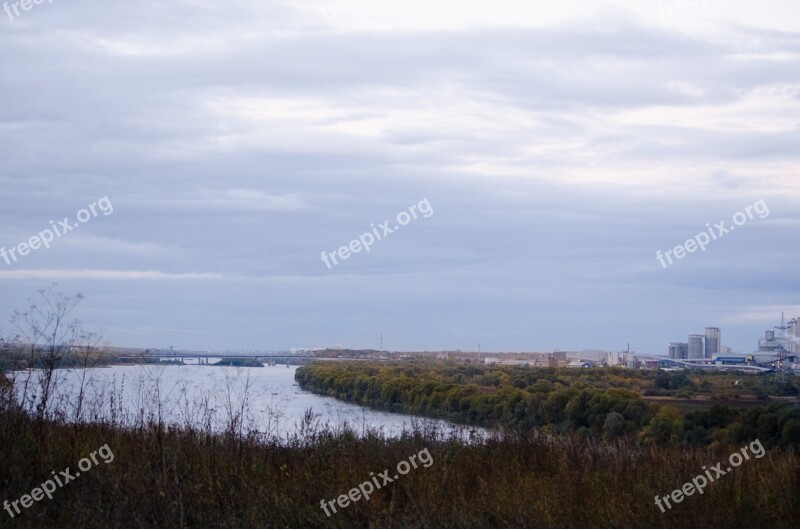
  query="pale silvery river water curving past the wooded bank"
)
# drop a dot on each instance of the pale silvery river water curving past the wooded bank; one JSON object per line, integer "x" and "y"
{"x": 266, "y": 400}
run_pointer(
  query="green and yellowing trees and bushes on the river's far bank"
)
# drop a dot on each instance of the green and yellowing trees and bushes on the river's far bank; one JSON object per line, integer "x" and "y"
{"x": 591, "y": 403}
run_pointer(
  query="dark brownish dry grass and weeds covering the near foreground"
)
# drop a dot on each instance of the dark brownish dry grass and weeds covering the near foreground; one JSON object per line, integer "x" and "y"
{"x": 165, "y": 477}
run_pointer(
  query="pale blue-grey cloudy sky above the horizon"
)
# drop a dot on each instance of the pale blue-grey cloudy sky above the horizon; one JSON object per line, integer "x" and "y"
{"x": 535, "y": 162}
